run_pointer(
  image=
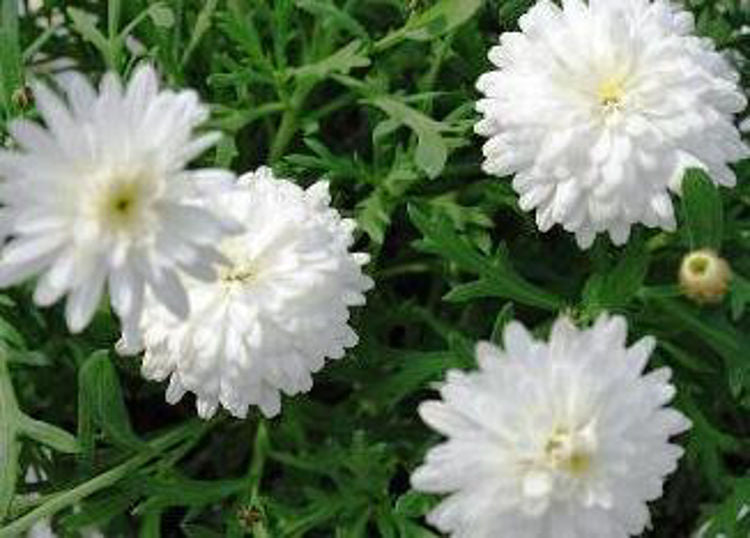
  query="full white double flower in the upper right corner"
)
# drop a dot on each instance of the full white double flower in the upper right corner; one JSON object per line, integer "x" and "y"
{"x": 599, "y": 108}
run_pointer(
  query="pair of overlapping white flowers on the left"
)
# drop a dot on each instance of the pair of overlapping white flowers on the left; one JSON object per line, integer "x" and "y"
{"x": 238, "y": 289}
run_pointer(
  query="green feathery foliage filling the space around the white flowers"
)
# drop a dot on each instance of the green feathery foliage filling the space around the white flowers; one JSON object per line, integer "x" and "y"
{"x": 377, "y": 96}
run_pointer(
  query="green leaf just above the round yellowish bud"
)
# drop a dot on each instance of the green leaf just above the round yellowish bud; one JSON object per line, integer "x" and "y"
{"x": 703, "y": 209}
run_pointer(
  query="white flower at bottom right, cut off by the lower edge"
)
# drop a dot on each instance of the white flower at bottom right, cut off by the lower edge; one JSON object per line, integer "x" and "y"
{"x": 566, "y": 439}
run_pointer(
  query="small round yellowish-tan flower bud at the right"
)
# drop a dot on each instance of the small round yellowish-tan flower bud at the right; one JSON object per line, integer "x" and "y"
{"x": 704, "y": 276}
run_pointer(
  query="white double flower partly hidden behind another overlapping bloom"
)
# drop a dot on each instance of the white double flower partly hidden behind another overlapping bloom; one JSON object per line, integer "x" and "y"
{"x": 275, "y": 314}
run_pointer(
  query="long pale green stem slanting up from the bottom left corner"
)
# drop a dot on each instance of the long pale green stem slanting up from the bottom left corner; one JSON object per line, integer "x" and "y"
{"x": 104, "y": 480}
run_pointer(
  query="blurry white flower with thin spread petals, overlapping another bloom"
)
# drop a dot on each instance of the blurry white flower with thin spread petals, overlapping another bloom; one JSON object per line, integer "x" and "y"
{"x": 100, "y": 198}
